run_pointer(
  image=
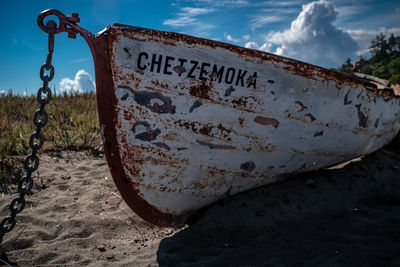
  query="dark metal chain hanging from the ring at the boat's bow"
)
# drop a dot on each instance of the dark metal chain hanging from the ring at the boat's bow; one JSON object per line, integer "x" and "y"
{"x": 36, "y": 140}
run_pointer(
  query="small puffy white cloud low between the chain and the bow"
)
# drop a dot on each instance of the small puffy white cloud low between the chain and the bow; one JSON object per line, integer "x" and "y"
{"x": 82, "y": 83}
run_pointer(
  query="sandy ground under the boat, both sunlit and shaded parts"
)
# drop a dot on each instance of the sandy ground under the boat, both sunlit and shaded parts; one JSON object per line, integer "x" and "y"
{"x": 348, "y": 215}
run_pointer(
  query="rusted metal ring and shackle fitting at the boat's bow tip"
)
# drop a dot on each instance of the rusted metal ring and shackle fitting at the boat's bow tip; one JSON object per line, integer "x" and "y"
{"x": 67, "y": 24}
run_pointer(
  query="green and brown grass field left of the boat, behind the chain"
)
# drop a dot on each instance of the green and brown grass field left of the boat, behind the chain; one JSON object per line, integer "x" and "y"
{"x": 73, "y": 124}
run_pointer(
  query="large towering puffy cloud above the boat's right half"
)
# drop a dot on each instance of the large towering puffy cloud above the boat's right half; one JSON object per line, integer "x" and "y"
{"x": 313, "y": 38}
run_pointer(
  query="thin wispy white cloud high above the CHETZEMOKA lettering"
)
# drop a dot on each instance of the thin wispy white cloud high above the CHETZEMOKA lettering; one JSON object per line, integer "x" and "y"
{"x": 187, "y": 17}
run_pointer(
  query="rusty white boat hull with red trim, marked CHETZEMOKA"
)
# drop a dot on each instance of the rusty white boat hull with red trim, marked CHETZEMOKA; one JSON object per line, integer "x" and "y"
{"x": 187, "y": 121}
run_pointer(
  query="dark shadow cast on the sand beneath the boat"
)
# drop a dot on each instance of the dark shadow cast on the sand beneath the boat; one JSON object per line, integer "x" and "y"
{"x": 343, "y": 216}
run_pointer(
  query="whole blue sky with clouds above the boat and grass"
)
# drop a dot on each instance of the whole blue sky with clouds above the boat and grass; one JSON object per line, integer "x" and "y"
{"x": 321, "y": 32}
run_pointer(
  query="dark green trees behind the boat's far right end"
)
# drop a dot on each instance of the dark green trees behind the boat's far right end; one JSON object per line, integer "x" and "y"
{"x": 384, "y": 62}
